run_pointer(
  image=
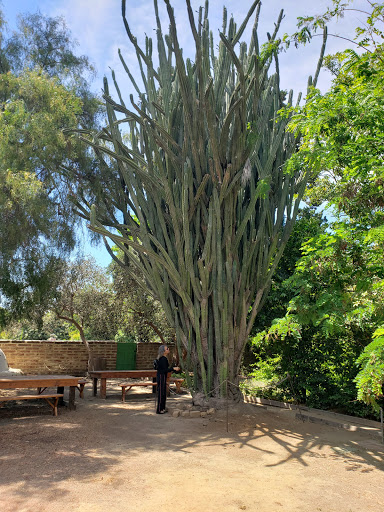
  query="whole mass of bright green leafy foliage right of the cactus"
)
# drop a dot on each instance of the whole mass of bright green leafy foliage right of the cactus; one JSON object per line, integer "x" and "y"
{"x": 337, "y": 285}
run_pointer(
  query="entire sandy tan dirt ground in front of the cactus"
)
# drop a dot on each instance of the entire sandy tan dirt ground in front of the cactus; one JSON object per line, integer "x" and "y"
{"x": 112, "y": 457}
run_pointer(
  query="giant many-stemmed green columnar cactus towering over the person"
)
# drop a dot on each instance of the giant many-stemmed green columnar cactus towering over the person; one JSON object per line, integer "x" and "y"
{"x": 205, "y": 205}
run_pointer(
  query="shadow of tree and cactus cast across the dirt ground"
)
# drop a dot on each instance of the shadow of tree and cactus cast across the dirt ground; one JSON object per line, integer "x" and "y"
{"x": 39, "y": 452}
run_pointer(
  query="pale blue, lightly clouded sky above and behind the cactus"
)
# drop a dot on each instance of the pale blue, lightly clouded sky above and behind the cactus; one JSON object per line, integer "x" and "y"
{"x": 98, "y": 28}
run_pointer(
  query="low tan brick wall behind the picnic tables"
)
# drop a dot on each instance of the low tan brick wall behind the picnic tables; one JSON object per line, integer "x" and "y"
{"x": 70, "y": 357}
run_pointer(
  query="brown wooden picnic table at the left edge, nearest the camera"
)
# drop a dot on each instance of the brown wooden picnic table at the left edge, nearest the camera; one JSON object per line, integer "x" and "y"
{"x": 42, "y": 382}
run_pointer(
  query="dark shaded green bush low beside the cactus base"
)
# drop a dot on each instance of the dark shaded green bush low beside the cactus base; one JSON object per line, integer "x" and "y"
{"x": 321, "y": 369}
